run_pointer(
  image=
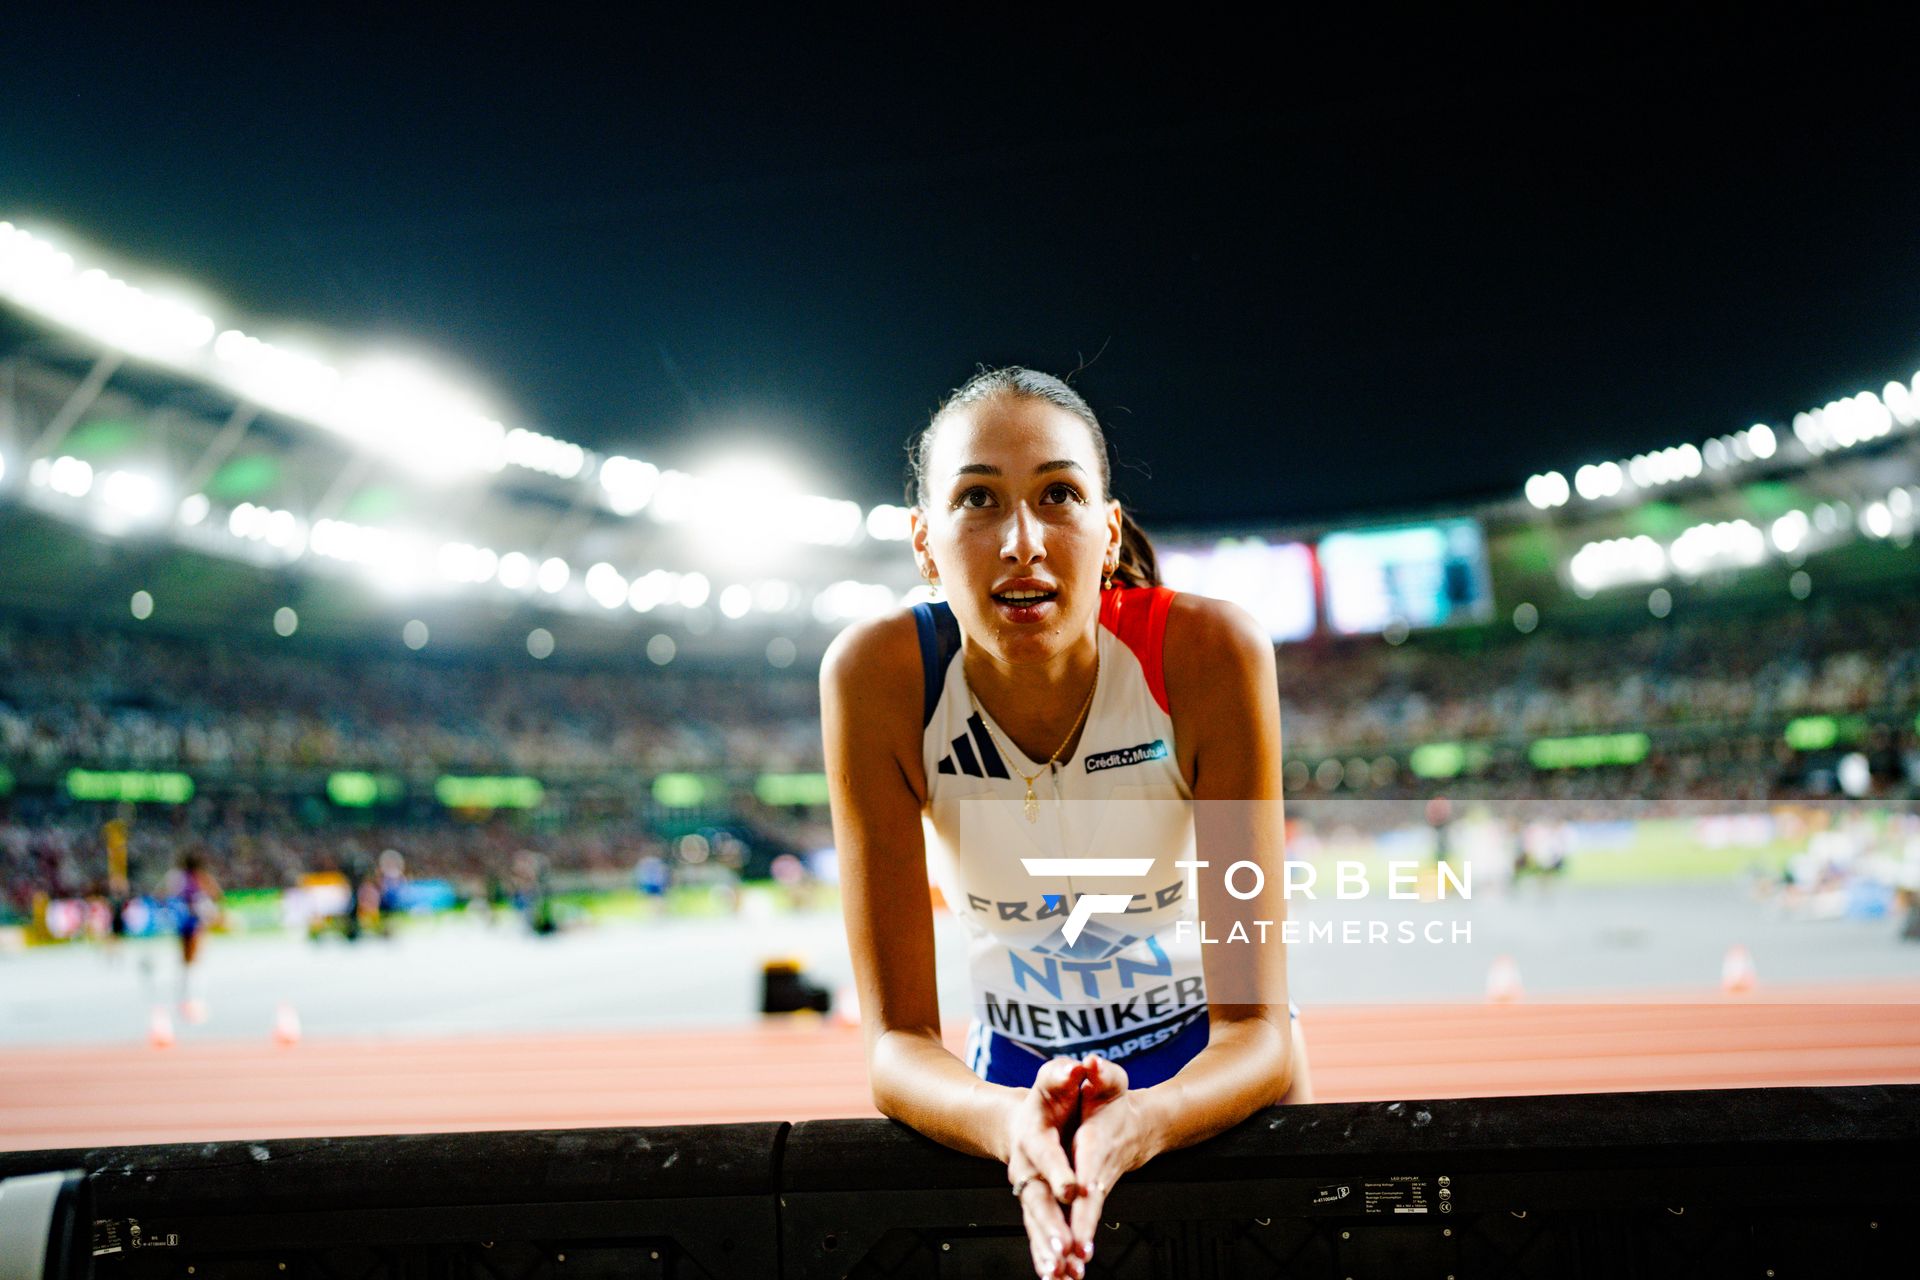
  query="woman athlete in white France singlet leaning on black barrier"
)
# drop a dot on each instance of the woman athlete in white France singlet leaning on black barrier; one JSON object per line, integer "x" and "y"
{"x": 1057, "y": 682}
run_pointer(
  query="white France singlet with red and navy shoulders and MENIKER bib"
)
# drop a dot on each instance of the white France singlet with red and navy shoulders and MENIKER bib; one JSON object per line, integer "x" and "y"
{"x": 1128, "y": 984}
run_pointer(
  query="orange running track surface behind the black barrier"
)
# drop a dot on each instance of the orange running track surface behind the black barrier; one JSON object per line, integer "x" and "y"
{"x": 807, "y": 1070}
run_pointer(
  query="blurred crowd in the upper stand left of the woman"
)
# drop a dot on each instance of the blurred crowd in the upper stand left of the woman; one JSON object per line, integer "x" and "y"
{"x": 112, "y": 699}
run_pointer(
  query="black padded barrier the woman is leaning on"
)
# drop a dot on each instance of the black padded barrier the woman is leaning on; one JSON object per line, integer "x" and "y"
{"x": 1725, "y": 1183}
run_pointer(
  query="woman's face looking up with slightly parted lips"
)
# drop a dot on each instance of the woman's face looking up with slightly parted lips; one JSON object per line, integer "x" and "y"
{"x": 1017, "y": 527}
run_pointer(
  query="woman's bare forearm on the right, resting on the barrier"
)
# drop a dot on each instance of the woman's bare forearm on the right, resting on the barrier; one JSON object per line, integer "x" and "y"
{"x": 1247, "y": 1066}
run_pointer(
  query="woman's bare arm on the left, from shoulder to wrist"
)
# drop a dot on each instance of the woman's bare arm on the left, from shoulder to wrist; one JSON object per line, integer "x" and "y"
{"x": 871, "y": 694}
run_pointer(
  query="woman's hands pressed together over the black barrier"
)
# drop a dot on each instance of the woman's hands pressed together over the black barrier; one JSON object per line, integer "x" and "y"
{"x": 1070, "y": 1139}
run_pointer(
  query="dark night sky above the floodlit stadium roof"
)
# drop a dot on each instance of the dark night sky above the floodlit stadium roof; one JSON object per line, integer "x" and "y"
{"x": 1326, "y": 272}
